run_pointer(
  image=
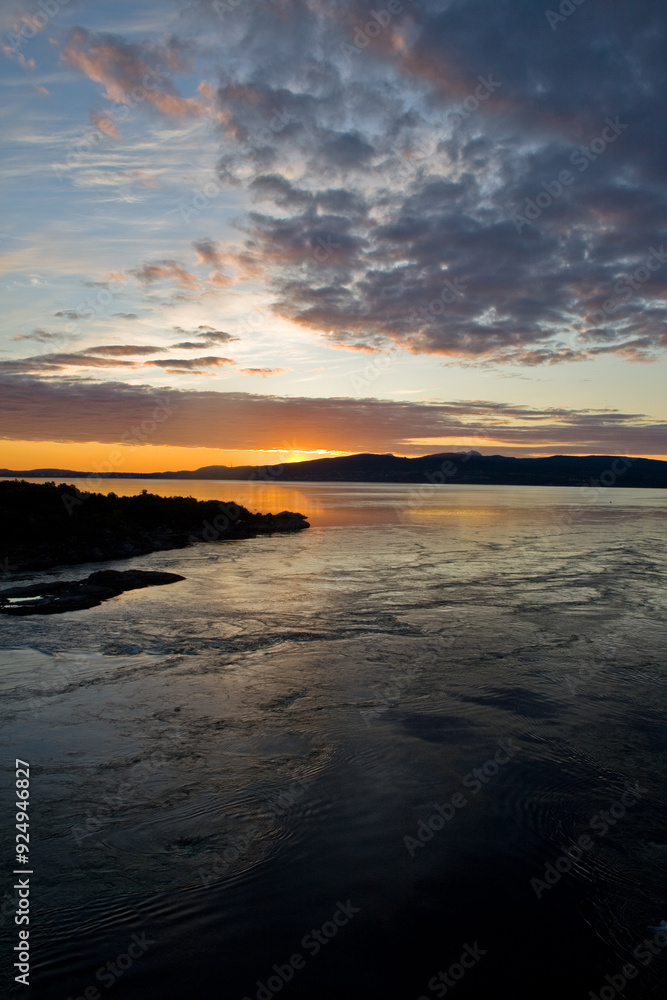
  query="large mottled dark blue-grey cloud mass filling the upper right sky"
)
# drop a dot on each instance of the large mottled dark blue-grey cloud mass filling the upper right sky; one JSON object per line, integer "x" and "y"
{"x": 415, "y": 177}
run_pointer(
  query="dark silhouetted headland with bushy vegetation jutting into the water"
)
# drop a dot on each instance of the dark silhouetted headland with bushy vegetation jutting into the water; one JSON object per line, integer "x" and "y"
{"x": 48, "y": 524}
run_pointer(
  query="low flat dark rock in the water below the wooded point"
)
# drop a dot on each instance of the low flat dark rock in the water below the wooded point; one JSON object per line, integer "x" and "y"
{"x": 75, "y": 595}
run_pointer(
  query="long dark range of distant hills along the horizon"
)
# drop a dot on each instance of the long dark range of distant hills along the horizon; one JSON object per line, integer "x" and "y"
{"x": 447, "y": 467}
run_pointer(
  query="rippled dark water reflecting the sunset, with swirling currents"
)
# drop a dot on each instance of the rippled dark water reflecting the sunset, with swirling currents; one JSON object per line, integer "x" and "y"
{"x": 218, "y": 764}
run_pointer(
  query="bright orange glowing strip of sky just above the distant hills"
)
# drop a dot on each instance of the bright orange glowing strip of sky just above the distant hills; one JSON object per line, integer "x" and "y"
{"x": 97, "y": 457}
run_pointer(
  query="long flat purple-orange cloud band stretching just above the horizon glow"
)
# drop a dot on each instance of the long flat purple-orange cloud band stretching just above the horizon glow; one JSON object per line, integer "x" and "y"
{"x": 67, "y": 410}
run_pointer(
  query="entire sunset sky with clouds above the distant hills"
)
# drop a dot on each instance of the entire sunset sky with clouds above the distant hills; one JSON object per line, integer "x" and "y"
{"x": 251, "y": 231}
